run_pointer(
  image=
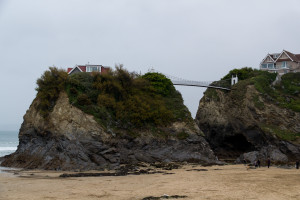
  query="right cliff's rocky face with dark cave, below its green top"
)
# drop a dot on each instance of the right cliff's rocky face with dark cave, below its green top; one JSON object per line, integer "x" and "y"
{"x": 248, "y": 126}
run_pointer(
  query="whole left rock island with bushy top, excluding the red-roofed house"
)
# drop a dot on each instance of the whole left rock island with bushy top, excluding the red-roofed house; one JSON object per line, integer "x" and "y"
{"x": 94, "y": 121}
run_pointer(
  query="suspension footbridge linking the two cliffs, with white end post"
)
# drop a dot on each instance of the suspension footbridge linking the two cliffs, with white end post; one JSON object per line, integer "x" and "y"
{"x": 223, "y": 84}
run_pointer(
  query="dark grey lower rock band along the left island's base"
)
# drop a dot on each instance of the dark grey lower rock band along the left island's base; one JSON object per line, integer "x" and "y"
{"x": 61, "y": 153}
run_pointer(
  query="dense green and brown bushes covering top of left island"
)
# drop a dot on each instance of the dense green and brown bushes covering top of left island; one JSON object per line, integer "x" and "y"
{"x": 118, "y": 99}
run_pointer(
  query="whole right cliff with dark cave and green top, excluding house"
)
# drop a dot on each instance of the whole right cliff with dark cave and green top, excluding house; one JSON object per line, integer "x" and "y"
{"x": 255, "y": 120}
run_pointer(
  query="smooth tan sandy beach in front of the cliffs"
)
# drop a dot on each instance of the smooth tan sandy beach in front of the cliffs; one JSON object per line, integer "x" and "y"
{"x": 195, "y": 182}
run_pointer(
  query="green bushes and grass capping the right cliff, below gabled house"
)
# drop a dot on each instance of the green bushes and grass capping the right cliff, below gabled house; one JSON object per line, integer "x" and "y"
{"x": 285, "y": 94}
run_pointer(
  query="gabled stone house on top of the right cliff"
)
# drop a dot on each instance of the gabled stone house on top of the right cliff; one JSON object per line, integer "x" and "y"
{"x": 281, "y": 63}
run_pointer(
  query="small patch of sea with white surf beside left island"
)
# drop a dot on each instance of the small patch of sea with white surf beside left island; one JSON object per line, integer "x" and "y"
{"x": 8, "y": 142}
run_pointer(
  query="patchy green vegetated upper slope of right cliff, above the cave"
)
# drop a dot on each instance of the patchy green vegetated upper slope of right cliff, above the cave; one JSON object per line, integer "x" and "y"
{"x": 282, "y": 94}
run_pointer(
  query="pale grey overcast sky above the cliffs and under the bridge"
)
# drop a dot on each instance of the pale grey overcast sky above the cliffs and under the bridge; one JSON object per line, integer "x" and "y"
{"x": 191, "y": 39}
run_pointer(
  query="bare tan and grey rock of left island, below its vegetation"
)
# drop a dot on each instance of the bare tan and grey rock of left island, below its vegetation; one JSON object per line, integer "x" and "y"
{"x": 69, "y": 139}
